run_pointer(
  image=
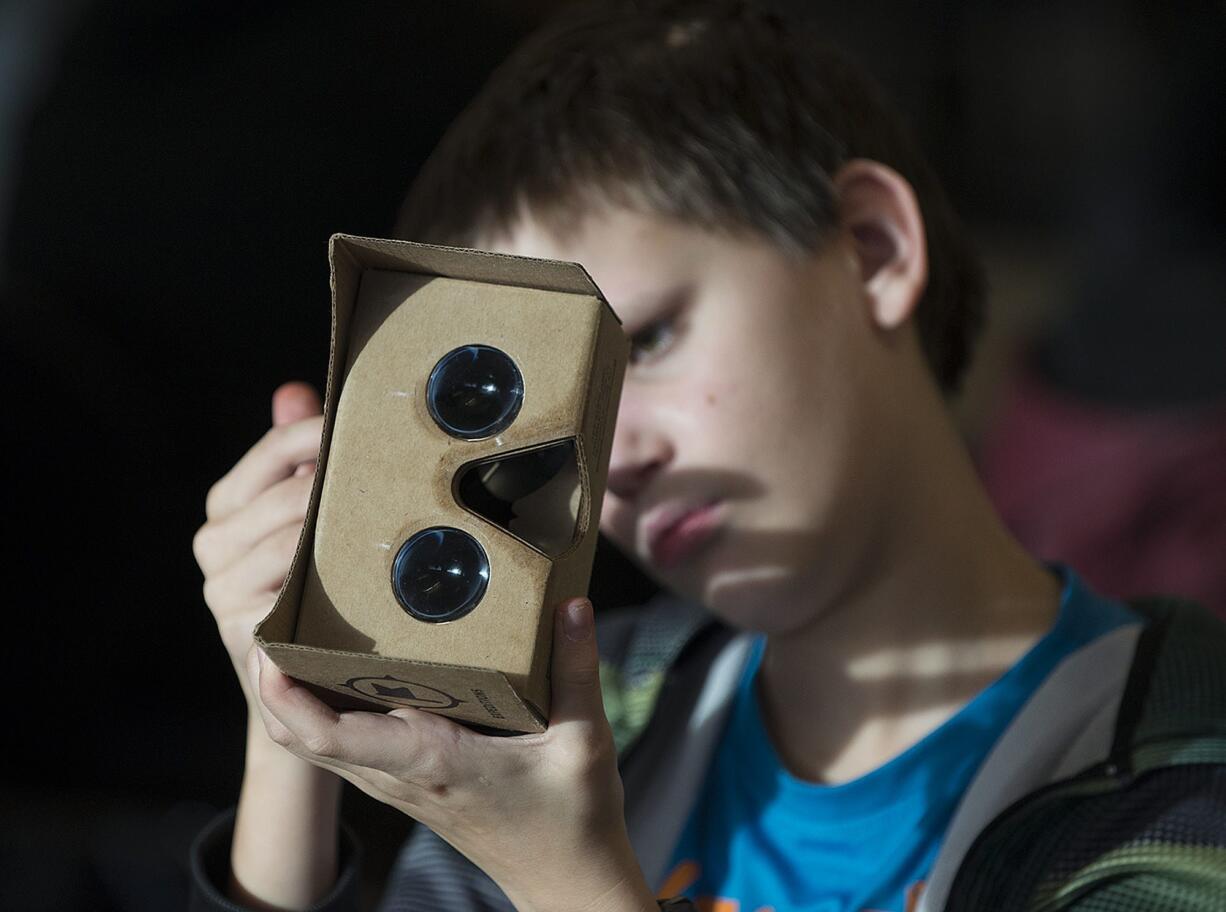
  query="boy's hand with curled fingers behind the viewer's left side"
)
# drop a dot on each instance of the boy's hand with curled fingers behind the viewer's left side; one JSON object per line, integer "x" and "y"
{"x": 256, "y": 514}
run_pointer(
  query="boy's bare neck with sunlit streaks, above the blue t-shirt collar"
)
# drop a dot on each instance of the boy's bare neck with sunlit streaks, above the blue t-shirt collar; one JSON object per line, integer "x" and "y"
{"x": 947, "y": 605}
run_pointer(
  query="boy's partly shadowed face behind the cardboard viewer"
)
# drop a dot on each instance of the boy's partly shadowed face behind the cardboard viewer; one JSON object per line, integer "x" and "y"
{"x": 745, "y": 460}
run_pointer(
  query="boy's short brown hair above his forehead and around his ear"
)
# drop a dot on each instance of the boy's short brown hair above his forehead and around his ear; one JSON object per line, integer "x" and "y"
{"x": 722, "y": 113}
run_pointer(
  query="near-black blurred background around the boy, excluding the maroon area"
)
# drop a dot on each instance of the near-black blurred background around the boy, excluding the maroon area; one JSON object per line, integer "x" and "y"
{"x": 170, "y": 175}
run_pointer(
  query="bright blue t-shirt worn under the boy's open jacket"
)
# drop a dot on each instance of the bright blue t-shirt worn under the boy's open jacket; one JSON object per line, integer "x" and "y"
{"x": 762, "y": 840}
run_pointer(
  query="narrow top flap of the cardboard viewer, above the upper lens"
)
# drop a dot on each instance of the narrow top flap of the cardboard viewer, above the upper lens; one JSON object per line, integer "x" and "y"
{"x": 460, "y": 263}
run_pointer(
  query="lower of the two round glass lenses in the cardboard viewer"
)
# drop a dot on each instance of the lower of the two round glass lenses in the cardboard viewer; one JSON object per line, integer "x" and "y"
{"x": 441, "y": 574}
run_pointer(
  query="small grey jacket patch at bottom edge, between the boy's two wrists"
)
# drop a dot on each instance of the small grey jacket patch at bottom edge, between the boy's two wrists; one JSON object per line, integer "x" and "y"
{"x": 431, "y": 876}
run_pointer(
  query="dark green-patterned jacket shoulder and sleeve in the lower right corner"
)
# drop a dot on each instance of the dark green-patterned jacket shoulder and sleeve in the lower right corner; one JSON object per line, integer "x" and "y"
{"x": 1144, "y": 827}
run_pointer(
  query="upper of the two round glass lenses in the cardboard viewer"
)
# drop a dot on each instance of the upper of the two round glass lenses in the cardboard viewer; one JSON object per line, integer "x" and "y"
{"x": 475, "y": 392}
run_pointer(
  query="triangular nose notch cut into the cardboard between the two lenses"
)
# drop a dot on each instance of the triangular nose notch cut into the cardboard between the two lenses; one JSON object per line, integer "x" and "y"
{"x": 538, "y": 496}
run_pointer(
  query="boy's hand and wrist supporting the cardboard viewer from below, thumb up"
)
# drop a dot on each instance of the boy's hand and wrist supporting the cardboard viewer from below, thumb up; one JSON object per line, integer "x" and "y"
{"x": 541, "y": 815}
